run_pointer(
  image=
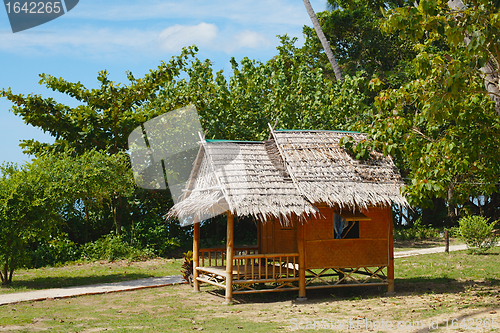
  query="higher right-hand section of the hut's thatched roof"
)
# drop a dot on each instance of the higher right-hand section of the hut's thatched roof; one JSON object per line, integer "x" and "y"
{"x": 324, "y": 172}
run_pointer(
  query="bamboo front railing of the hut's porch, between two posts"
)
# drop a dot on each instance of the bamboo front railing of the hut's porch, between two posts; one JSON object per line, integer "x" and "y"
{"x": 266, "y": 267}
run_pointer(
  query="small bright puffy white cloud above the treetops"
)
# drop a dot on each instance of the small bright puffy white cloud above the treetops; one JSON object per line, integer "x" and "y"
{"x": 175, "y": 37}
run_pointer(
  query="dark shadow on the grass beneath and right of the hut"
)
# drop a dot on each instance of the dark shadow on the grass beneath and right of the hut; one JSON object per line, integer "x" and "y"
{"x": 403, "y": 287}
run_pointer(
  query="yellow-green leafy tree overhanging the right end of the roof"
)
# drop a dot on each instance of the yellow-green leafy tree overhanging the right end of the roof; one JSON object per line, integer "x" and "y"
{"x": 442, "y": 129}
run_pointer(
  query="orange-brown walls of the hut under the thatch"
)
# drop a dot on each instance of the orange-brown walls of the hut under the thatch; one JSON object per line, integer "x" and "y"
{"x": 322, "y": 250}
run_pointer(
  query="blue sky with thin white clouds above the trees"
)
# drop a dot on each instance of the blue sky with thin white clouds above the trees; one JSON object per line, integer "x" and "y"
{"x": 133, "y": 35}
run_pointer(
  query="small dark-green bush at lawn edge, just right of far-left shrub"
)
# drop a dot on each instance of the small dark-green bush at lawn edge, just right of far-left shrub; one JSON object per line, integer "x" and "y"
{"x": 57, "y": 250}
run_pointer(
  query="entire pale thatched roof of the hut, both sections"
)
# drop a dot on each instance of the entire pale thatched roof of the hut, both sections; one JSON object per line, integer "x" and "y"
{"x": 286, "y": 175}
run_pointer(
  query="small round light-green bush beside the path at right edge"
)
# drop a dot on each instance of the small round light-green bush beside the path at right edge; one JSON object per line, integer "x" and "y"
{"x": 477, "y": 233}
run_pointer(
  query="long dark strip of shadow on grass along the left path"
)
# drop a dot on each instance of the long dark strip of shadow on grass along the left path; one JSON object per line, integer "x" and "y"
{"x": 61, "y": 282}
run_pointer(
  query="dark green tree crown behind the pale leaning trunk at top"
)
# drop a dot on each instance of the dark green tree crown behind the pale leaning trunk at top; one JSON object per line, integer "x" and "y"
{"x": 352, "y": 28}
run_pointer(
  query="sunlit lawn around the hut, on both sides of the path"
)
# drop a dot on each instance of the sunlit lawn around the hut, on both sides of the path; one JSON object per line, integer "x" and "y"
{"x": 430, "y": 289}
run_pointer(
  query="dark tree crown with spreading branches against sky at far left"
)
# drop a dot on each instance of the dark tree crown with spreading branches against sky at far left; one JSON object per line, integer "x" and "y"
{"x": 106, "y": 115}
